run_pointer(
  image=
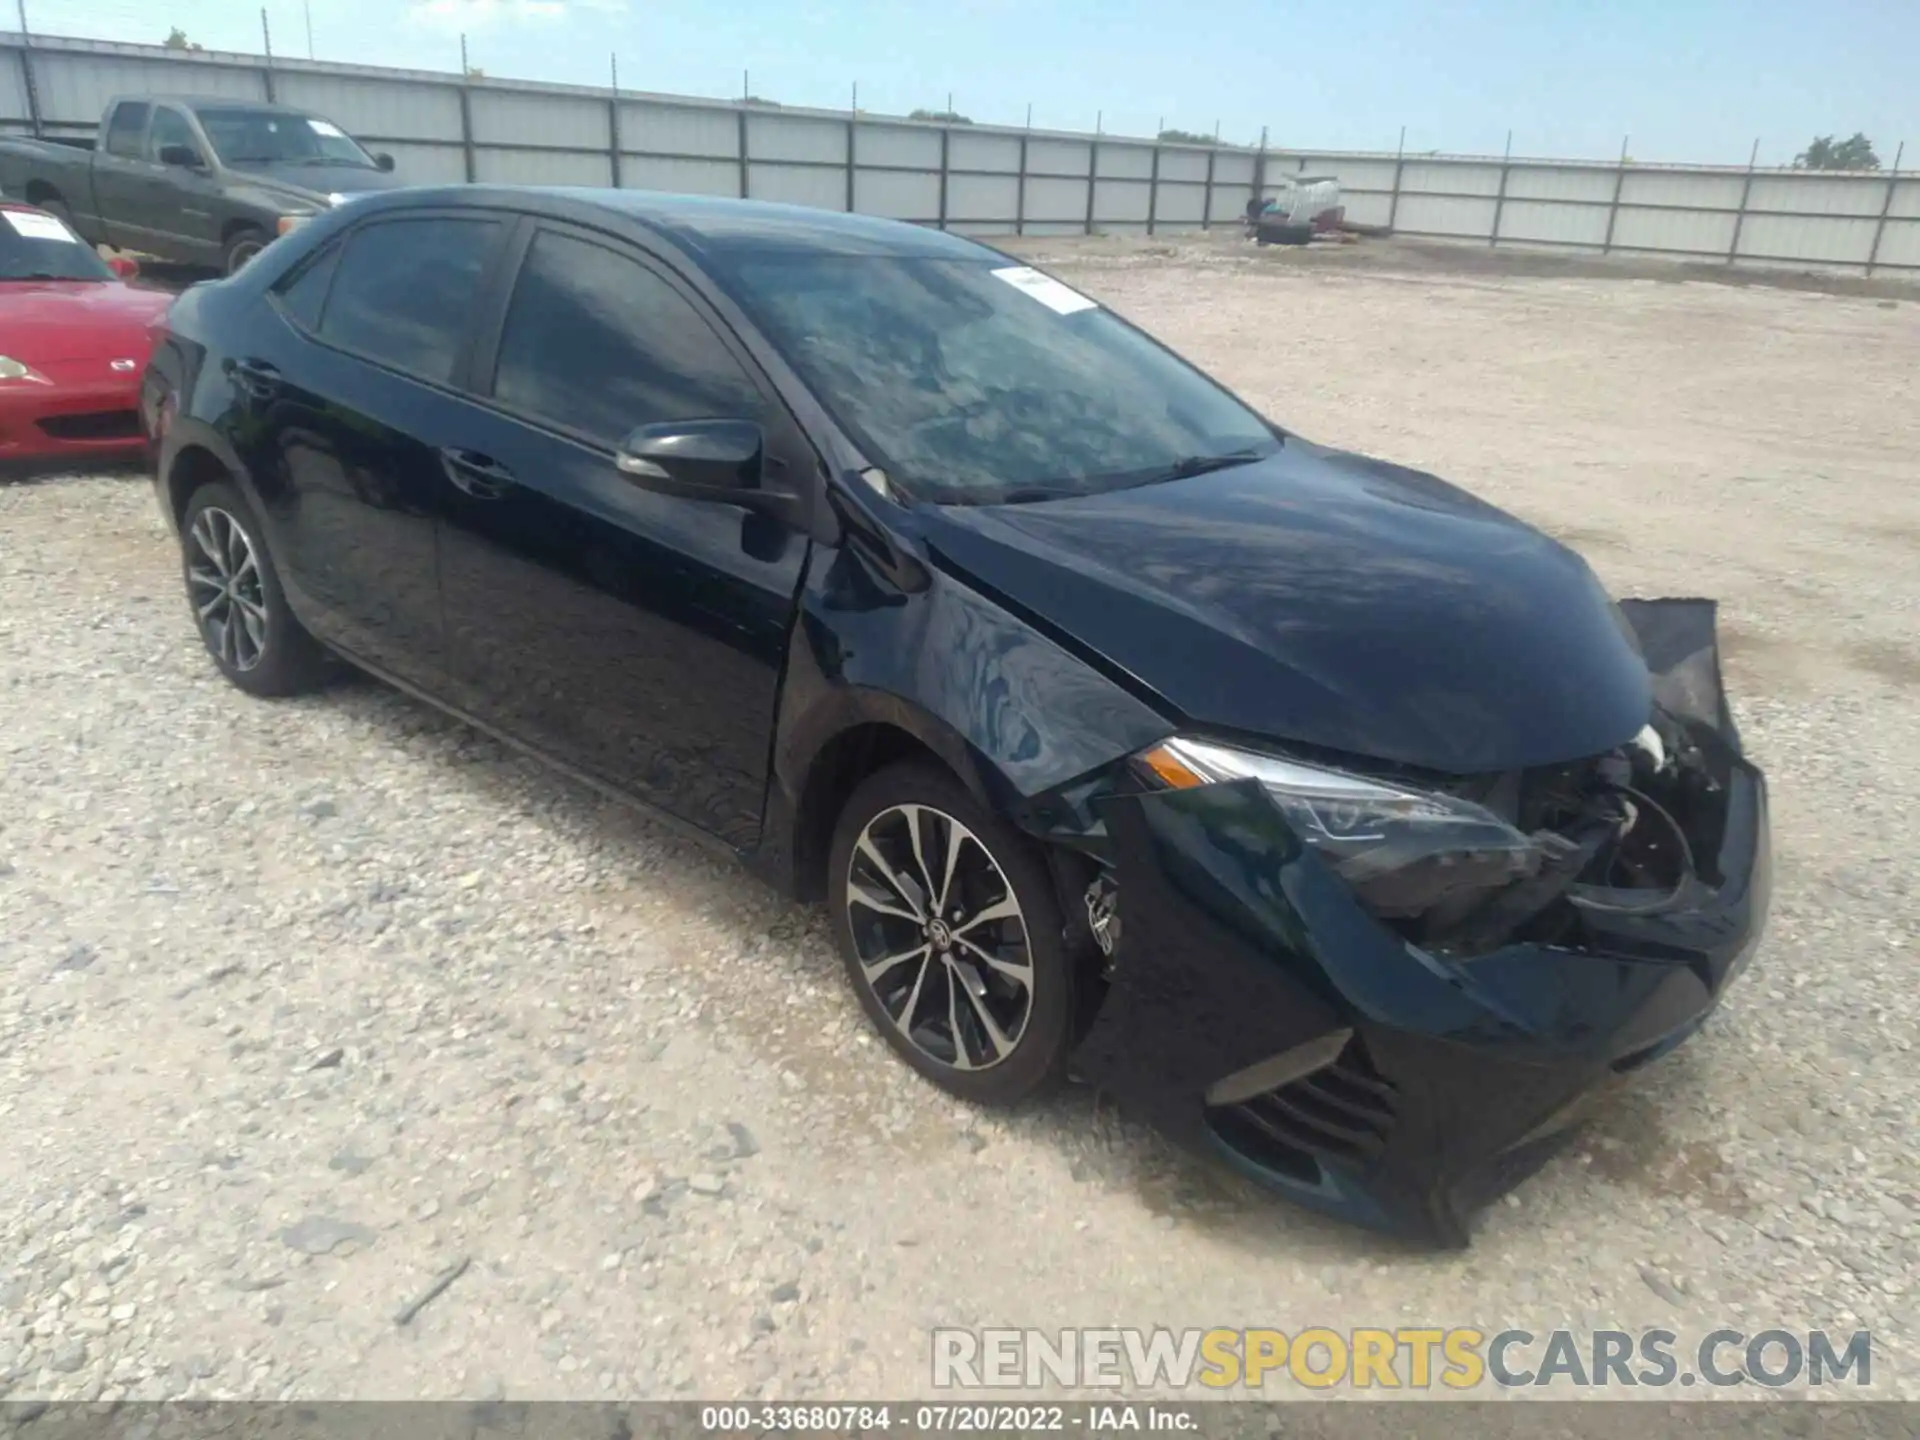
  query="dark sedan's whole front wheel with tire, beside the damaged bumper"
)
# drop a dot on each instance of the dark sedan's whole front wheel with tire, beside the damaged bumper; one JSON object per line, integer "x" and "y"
{"x": 951, "y": 936}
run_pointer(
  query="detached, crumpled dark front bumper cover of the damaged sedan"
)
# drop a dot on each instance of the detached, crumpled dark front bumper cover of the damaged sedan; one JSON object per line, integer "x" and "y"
{"x": 1260, "y": 1013}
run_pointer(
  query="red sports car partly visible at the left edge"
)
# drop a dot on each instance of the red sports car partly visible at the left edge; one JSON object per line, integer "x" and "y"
{"x": 74, "y": 345}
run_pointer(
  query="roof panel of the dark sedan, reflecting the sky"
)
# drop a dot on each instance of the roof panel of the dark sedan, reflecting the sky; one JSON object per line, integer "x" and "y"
{"x": 715, "y": 226}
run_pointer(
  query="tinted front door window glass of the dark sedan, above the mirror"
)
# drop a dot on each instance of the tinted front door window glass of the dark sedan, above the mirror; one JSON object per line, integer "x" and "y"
{"x": 598, "y": 345}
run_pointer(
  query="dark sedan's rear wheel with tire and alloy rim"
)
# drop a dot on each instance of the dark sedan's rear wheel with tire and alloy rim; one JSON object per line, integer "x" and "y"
{"x": 237, "y": 598}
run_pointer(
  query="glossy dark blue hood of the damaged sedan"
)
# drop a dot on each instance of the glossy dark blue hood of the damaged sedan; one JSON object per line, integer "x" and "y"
{"x": 1326, "y": 600}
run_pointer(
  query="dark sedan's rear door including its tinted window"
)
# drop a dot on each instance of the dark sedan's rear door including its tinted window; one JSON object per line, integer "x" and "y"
{"x": 350, "y": 398}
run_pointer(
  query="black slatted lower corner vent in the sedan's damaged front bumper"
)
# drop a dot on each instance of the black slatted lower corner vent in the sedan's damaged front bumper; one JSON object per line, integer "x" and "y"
{"x": 1345, "y": 1113}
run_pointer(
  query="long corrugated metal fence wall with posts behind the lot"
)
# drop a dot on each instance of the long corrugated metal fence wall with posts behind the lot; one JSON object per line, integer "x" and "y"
{"x": 984, "y": 180}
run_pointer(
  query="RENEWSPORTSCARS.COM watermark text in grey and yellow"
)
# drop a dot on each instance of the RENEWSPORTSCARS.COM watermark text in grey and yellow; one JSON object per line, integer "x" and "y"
{"x": 1406, "y": 1358}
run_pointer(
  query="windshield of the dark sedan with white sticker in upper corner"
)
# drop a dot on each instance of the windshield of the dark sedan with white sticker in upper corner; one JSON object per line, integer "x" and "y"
{"x": 978, "y": 381}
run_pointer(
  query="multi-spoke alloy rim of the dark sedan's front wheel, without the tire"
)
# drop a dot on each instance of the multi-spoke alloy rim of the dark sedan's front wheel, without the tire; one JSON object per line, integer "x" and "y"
{"x": 940, "y": 936}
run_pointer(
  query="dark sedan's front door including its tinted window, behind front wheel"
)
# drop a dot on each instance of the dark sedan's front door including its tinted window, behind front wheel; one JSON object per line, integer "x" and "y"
{"x": 633, "y": 635}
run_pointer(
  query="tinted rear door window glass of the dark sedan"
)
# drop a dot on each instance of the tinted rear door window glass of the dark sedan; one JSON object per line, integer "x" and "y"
{"x": 404, "y": 291}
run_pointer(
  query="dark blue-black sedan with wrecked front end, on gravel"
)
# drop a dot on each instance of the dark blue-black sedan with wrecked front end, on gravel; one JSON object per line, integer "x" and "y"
{"x": 1330, "y": 817}
